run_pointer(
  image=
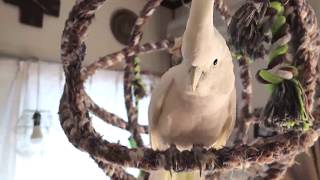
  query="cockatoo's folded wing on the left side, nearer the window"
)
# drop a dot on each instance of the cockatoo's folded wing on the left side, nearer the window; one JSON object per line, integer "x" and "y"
{"x": 158, "y": 97}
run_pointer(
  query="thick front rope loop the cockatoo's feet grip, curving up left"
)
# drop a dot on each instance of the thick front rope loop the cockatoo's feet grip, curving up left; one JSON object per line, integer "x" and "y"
{"x": 77, "y": 125}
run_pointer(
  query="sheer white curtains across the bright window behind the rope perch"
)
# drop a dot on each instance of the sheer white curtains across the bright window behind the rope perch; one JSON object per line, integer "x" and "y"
{"x": 58, "y": 159}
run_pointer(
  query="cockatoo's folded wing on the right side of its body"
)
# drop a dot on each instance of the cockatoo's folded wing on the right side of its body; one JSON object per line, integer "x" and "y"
{"x": 229, "y": 124}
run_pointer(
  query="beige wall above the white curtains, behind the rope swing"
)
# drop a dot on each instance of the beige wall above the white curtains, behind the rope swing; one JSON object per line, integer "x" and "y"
{"x": 25, "y": 41}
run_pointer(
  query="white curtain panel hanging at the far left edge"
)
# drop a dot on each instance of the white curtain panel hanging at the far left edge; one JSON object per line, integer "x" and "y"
{"x": 13, "y": 84}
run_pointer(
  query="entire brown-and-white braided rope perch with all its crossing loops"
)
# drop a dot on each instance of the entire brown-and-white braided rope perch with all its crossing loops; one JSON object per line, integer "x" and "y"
{"x": 75, "y": 105}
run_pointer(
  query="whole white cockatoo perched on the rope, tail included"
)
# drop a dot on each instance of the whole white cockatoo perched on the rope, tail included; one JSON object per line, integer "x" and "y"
{"x": 195, "y": 102}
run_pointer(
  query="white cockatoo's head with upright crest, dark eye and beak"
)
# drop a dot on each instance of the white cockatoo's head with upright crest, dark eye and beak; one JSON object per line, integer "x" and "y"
{"x": 204, "y": 50}
